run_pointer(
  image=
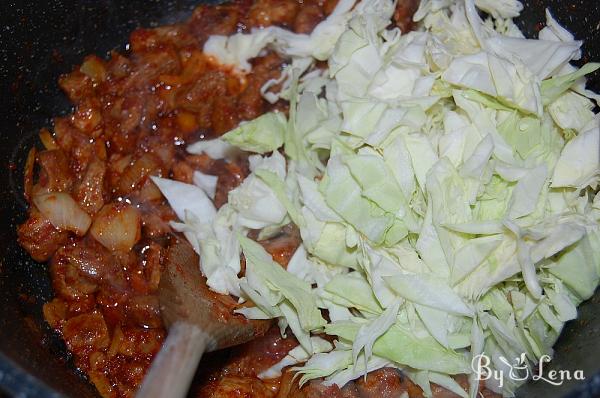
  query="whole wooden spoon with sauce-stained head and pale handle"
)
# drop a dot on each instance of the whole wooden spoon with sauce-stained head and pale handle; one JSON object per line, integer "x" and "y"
{"x": 199, "y": 321}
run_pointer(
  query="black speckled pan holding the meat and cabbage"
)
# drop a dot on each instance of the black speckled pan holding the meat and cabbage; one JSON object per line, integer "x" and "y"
{"x": 39, "y": 40}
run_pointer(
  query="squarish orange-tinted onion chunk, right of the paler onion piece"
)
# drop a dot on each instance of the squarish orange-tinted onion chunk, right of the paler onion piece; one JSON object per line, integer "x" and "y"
{"x": 117, "y": 226}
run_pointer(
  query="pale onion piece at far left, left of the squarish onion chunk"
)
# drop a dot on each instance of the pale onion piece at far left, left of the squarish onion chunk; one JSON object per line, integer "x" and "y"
{"x": 63, "y": 212}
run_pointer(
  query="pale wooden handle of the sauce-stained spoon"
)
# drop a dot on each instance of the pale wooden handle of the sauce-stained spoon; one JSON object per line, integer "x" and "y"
{"x": 175, "y": 365}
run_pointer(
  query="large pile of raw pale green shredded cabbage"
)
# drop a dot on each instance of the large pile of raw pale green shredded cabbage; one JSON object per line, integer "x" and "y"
{"x": 443, "y": 182}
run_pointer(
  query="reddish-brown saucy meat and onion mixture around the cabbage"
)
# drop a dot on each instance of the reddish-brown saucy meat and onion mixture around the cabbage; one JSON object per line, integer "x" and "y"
{"x": 103, "y": 226}
